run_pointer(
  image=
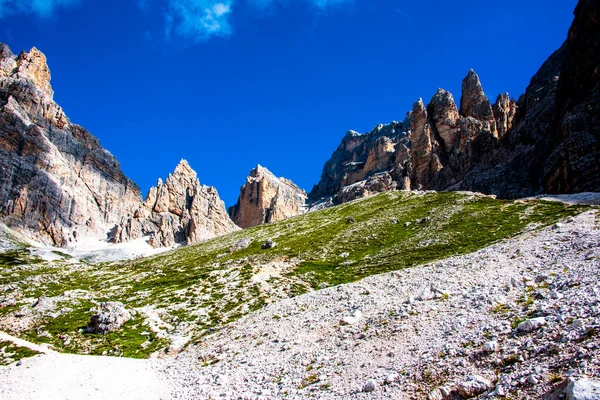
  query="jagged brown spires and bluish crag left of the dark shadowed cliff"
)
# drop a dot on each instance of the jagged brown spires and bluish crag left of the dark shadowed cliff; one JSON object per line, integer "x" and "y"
{"x": 434, "y": 148}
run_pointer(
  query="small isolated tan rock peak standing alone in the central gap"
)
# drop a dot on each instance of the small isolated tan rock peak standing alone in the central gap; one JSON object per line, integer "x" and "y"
{"x": 265, "y": 198}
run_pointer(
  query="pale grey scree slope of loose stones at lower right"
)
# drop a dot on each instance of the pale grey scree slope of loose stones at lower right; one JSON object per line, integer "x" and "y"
{"x": 514, "y": 320}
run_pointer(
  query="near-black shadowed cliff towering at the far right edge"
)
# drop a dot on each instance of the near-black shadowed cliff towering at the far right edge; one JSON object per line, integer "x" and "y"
{"x": 574, "y": 164}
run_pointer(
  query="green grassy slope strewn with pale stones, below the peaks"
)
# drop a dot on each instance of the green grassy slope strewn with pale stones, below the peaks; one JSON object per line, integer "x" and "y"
{"x": 199, "y": 288}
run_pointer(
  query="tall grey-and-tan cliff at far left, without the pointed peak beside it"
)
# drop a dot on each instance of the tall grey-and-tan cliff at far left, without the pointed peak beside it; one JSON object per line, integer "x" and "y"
{"x": 57, "y": 181}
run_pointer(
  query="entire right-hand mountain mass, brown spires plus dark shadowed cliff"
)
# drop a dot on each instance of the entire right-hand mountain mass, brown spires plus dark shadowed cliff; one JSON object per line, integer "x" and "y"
{"x": 545, "y": 142}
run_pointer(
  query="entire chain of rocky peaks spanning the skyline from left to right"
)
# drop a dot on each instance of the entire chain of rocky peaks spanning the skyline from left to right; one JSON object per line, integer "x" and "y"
{"x": 61, "y": 184}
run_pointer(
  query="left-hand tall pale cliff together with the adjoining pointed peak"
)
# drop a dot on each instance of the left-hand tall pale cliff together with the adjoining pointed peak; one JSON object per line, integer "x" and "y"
{"x": 60, "y": 185}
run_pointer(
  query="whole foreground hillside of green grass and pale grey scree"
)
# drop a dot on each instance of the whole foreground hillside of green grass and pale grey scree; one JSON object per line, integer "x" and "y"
{"x": 248, "y": 320}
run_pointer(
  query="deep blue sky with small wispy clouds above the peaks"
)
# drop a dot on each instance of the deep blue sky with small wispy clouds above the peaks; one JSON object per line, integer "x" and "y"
{"x": 228, "y": 84}
